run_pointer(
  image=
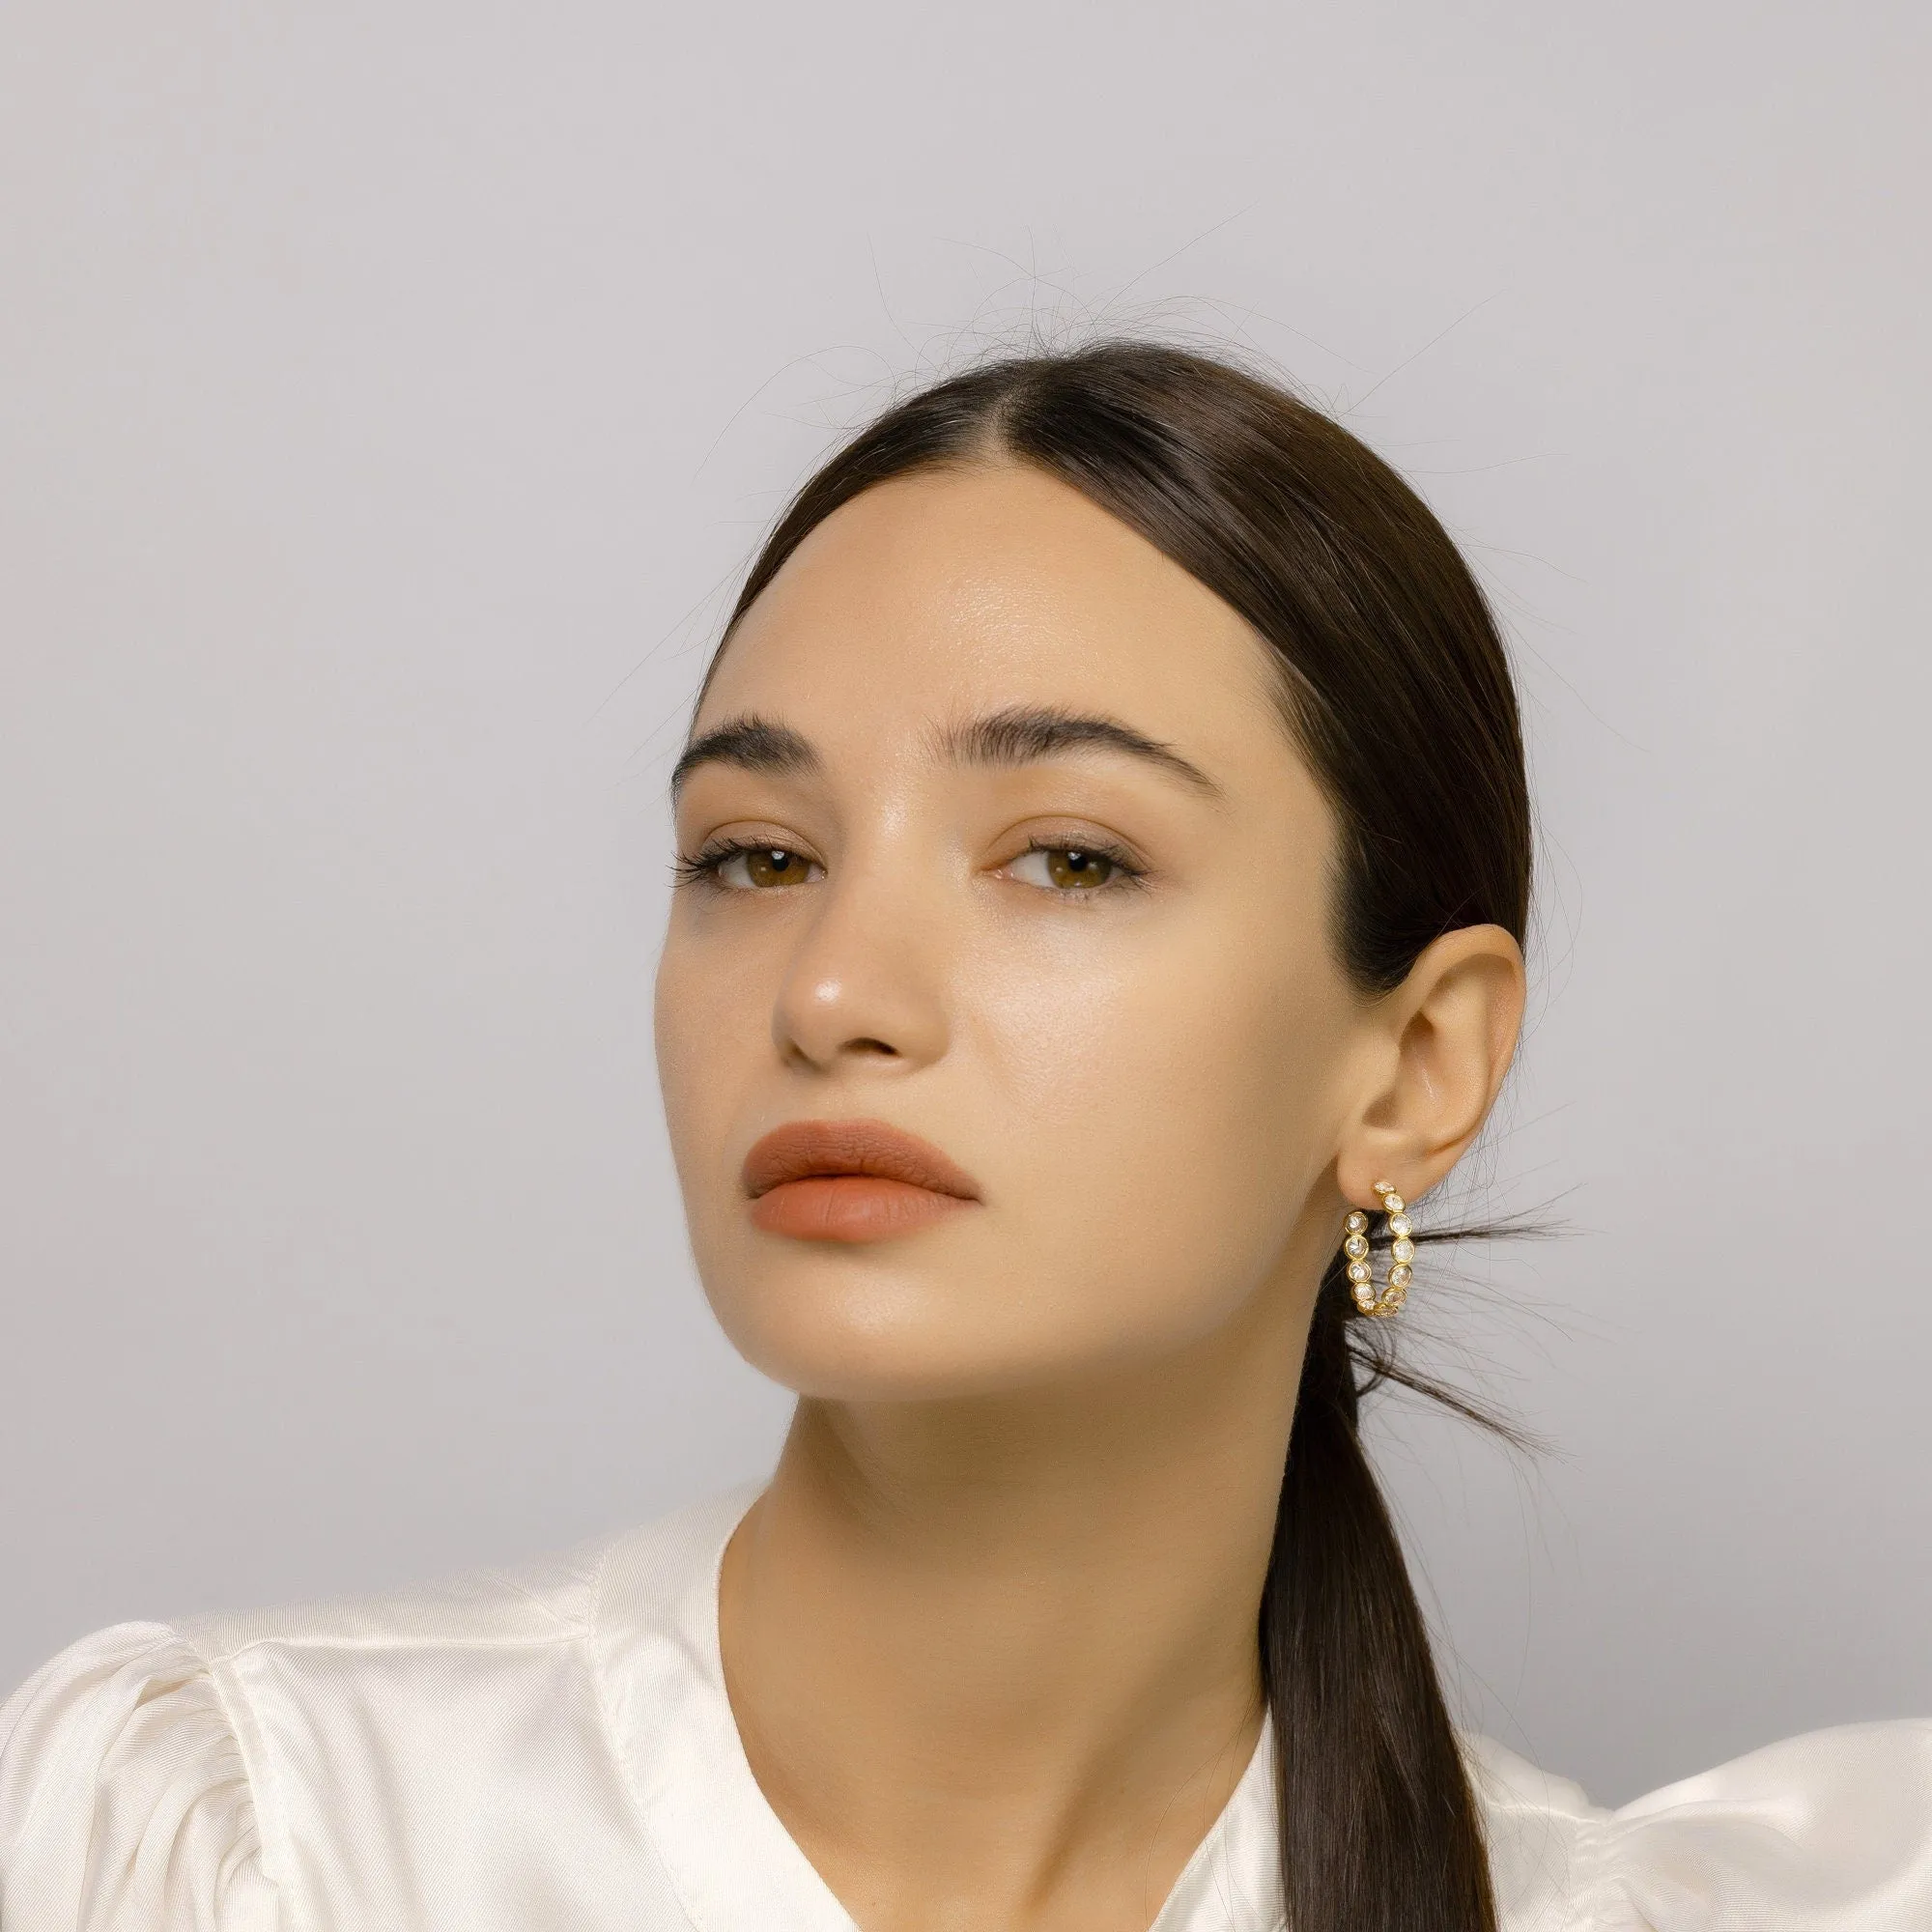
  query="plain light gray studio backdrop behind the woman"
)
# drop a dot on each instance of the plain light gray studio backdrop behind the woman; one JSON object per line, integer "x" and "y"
{"x": 389, "y": 395}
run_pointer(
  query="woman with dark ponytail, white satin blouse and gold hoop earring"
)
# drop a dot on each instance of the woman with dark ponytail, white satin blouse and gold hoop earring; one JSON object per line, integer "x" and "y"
{"x": 1104, "y": 865}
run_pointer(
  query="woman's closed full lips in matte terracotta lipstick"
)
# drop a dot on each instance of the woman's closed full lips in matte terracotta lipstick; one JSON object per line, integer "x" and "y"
{"x": 851, "y": 1181}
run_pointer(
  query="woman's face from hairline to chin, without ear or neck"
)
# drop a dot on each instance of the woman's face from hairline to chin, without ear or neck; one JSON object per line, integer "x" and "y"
{"x": 1017, "y": 859}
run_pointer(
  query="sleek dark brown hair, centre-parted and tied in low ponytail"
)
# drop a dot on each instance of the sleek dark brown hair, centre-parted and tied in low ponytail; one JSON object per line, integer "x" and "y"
{"x": 1396, "y": 685}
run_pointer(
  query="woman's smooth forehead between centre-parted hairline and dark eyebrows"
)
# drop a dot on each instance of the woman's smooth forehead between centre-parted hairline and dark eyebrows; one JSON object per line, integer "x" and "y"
{"x": 963, "y": 592}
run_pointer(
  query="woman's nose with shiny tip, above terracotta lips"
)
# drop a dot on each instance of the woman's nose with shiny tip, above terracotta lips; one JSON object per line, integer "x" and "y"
{"x": 867, "y": 982}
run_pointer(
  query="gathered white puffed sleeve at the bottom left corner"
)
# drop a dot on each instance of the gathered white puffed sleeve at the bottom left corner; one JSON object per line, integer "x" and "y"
{"x": 125, "y": 1796}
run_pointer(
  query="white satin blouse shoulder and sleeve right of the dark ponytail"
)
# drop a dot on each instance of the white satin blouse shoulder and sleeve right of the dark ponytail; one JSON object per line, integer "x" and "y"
{"x": 1829, "y": 1833}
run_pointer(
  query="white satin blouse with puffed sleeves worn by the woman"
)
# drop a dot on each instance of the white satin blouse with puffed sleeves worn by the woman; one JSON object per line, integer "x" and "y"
{"x": 552, "y": 1747}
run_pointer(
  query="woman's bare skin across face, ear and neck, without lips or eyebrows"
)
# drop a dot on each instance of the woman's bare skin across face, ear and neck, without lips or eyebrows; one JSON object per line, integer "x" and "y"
{"x": 990, "y": 1634}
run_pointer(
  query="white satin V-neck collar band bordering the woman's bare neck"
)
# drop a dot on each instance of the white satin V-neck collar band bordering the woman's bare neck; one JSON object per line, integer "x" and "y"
{"x": 727, "y": 1854}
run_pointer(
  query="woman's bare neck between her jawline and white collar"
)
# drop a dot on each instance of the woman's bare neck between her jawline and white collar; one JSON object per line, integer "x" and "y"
{"x": 994, "y": 1661}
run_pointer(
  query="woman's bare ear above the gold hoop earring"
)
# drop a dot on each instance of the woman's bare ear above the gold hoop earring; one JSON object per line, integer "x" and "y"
{"x": 1442, "y": 1044}
